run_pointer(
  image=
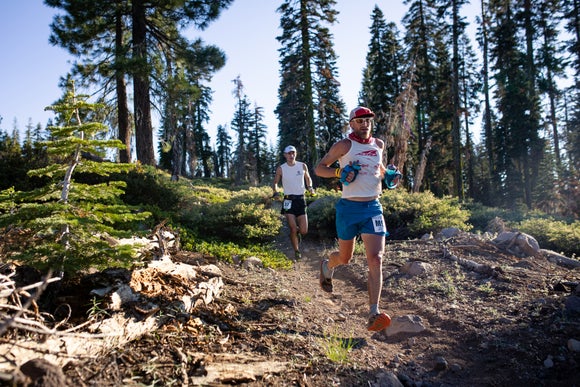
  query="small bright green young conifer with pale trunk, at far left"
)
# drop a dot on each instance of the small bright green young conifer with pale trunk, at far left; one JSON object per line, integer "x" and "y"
{"x": 69, "y": 219}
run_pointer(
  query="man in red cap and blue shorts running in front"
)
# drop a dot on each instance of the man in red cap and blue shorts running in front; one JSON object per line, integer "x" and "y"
{"x": 359, "y": 212}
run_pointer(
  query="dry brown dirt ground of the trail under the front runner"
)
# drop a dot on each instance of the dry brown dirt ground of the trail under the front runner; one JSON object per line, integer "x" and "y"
{"x": 504, "y": 326}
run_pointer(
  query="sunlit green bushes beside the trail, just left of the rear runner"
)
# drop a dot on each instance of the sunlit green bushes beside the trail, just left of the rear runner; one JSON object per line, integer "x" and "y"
{"x": 218, "y": 219}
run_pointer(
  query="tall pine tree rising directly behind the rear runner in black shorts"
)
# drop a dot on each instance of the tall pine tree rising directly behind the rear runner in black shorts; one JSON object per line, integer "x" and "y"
{"x": 308, "y": 93}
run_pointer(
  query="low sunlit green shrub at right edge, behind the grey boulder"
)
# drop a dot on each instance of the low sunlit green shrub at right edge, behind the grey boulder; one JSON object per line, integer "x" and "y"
{"x": 554, "y": 235}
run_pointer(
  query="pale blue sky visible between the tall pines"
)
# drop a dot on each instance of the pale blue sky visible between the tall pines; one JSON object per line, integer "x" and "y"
{"x": 30, "y": 67}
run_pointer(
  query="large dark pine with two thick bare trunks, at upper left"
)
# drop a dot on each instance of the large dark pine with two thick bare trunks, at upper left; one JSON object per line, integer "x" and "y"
{"x": 96, "y": 31}
